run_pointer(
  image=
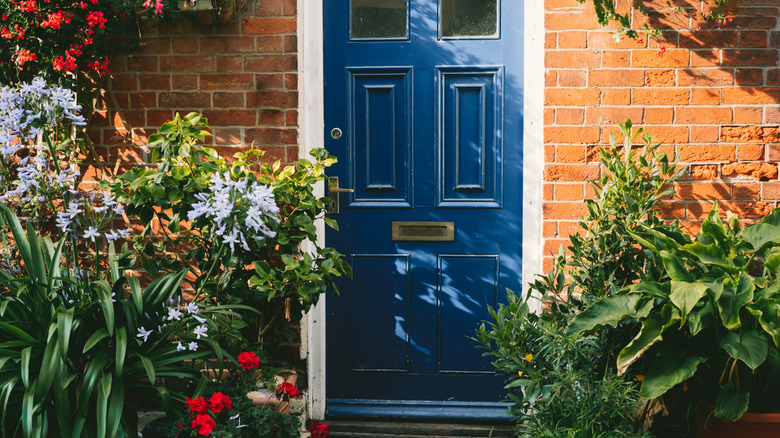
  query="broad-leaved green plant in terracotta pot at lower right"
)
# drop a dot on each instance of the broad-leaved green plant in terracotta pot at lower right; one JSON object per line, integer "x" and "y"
{"x": 710, "y": 322}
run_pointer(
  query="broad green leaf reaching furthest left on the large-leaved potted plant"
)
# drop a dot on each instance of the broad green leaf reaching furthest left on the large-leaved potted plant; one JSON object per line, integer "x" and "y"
{"x": 610, "y": 311}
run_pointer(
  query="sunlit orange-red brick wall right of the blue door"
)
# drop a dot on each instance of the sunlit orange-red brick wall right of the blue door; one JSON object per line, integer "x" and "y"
{"x": 712, "y": 97}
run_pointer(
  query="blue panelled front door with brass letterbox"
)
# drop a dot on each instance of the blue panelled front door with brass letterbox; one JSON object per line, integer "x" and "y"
{"x": 423, "y": 108}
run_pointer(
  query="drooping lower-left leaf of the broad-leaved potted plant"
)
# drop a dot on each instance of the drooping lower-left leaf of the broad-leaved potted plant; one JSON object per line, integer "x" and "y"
{"x": 671, "y": 368}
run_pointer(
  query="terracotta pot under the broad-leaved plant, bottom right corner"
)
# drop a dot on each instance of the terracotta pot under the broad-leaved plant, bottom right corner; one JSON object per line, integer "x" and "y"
{"x": 749, "y": 426}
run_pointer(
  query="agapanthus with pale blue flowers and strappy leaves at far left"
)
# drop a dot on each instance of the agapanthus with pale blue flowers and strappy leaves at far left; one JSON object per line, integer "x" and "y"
{"x": 82, "y": 339}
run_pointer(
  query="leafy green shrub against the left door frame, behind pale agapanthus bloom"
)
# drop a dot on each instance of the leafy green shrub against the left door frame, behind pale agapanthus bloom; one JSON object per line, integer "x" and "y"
{"x": 280, "y": 276}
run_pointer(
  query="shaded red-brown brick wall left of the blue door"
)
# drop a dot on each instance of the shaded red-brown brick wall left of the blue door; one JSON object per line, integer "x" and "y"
{"x": 243, "y": 75}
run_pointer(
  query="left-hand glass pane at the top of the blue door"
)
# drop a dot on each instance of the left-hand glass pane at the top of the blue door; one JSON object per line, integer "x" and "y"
{"x": 379, "y": 19}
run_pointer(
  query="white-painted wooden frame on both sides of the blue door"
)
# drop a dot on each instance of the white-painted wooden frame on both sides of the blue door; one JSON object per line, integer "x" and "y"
{"x": 312, "y": 134}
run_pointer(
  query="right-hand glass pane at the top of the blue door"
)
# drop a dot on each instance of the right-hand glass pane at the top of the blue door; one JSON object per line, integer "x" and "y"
{"x": 469, "y": 18}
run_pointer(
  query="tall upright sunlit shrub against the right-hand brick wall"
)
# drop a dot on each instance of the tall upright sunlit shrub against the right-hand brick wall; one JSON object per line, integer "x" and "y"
{"x": 604, "y": 258}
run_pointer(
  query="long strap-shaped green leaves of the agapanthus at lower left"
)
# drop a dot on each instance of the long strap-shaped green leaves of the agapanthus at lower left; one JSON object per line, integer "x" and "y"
{"x": 71, "y": 363}
